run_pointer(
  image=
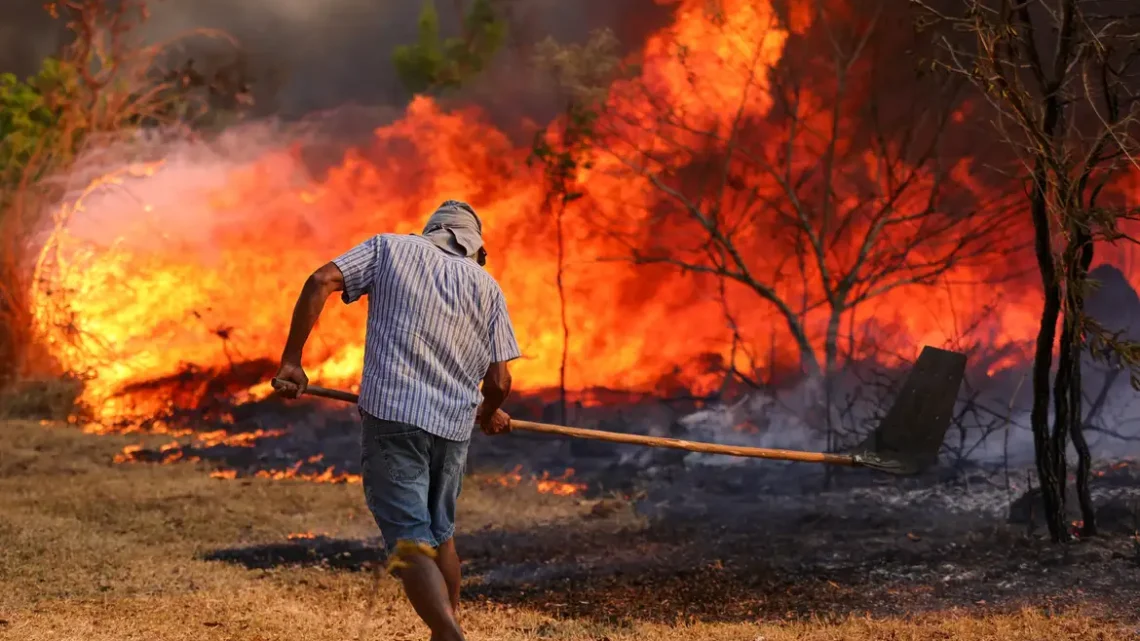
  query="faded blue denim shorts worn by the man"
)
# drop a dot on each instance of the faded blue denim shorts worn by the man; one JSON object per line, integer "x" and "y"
{"x": 412, "y": 481}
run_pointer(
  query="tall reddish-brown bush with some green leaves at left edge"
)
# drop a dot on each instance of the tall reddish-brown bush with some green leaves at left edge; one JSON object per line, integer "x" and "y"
{"x": 100, "y": 91}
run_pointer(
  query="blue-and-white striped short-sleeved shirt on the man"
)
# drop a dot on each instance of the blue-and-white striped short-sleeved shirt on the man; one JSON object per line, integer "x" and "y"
{"x": 436, "y": 322}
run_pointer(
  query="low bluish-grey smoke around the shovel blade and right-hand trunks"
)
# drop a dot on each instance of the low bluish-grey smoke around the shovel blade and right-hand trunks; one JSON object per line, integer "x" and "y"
{"x": 991, "y": 425}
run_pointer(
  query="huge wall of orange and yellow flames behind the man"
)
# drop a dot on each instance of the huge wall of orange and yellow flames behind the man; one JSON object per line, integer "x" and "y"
{"x": 194, "y": 261}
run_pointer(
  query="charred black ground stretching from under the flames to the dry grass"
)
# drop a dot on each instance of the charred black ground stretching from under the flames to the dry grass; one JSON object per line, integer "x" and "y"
{"x": 731, "y": 542}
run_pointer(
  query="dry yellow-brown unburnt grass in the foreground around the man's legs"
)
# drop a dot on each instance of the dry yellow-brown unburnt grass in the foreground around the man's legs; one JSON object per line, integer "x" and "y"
{"x": 95, "y": 551}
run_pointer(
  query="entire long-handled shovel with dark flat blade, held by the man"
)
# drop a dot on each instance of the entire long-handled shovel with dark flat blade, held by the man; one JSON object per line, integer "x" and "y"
{"x": 907, "y": 441}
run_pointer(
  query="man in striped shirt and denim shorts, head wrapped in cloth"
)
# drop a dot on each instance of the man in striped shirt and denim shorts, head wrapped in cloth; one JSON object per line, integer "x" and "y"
{"x": 437, "y": 327}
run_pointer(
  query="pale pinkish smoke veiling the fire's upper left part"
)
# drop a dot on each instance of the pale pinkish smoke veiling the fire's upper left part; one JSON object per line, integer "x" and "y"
{"x": 172, "y": 196}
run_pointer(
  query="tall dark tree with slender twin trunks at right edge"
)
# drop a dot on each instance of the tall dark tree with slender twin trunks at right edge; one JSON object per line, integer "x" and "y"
{"x": 1061, "y": 83}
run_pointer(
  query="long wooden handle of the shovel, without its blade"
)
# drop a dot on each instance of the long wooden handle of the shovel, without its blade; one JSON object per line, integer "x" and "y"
{"x": 639, "y": 440}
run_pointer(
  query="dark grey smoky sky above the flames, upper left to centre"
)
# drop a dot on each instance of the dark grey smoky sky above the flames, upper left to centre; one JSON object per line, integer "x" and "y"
{"x": 306, "y": 56}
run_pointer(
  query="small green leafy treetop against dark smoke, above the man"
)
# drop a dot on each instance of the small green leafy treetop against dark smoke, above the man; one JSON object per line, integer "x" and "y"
{"x": 435, "y": 64}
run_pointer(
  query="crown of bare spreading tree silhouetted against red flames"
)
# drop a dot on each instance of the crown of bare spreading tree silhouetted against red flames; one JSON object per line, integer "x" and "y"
{"x": 744, "y": 155}
